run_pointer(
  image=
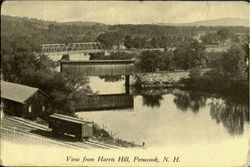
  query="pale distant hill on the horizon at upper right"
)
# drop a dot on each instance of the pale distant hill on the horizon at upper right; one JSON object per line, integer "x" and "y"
{"x": 215, "y": 22}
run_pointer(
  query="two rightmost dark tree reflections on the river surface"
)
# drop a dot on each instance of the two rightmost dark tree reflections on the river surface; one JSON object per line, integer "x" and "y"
{"x": 226, "y": 111}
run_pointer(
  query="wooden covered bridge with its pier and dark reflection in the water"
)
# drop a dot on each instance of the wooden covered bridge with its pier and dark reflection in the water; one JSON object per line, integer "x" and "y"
{"x": 102, "y": 68}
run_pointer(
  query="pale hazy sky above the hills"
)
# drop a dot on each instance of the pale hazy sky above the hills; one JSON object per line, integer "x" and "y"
{"x": 126, "y": 12}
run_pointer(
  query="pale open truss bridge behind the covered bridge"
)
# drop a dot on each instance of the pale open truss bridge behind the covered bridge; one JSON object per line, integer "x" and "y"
{"x": 84, "y": 47}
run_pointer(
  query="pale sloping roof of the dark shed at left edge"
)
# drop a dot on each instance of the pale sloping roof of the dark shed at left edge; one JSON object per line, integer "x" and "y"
{"x": 16, "y": 92}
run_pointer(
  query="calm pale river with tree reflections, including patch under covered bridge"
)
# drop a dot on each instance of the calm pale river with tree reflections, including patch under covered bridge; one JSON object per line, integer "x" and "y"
{"x": 172, "y": 117}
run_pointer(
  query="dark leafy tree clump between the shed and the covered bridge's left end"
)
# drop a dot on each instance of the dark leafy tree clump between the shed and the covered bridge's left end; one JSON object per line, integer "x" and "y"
{"x": 37, "y": 71}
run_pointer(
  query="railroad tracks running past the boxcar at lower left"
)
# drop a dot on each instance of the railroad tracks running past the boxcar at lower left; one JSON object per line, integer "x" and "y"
{"x": 23, "y": 128}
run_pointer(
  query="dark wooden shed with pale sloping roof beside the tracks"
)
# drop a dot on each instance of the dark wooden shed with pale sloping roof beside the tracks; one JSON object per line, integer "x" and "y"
{"x": 22, "y": 100}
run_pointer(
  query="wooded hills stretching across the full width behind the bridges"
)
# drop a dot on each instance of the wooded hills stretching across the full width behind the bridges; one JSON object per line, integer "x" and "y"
{"x": 33, "y": 33}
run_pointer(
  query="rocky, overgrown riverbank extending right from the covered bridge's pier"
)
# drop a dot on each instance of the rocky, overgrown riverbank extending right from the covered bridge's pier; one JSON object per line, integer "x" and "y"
{"x": 202, "y": 80}
